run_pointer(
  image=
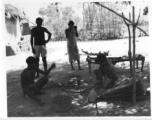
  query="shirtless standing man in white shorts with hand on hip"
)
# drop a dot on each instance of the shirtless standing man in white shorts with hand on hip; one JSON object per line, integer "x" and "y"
{"x": 39, "y": 47}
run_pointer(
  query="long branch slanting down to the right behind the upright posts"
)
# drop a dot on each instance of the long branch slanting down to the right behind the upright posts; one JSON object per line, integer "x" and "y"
{"x": 97, "y": 3}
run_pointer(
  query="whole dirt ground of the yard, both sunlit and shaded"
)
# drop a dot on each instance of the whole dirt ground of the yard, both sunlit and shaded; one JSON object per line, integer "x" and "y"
{"x": 19, "y": 106}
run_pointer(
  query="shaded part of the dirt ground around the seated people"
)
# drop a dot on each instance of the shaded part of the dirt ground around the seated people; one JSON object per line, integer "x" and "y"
{"x": 19, "y": 106}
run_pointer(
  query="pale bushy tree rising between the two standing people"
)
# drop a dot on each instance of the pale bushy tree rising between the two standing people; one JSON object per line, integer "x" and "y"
{"x": 56, "y": 19}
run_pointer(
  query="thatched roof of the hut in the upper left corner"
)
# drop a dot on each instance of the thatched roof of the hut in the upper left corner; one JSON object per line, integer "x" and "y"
{"x": 12, "y": 11}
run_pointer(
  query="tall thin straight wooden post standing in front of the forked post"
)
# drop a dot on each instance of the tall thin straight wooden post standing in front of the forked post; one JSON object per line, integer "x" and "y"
{"x": 134, "y": 78}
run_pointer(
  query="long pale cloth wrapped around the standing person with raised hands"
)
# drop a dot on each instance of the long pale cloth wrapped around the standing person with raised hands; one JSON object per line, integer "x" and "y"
{"x": 72, "y": 48}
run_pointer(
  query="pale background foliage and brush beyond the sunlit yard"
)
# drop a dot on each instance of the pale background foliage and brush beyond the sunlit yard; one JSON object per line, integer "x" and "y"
{"x": 97, "y": 23}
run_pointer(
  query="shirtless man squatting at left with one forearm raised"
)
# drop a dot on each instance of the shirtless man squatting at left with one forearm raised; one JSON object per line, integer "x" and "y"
{"x": 28, "y": 76}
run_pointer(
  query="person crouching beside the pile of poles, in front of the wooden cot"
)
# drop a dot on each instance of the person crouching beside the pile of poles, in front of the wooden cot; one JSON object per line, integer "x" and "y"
{"x": 106, "y": 73}
